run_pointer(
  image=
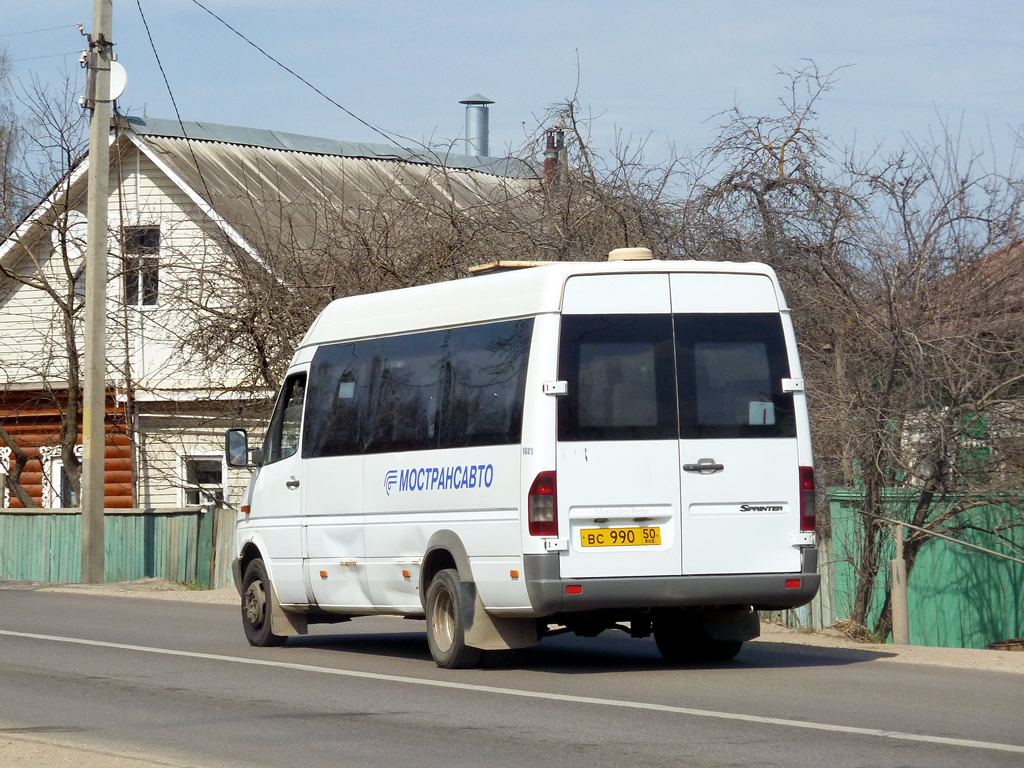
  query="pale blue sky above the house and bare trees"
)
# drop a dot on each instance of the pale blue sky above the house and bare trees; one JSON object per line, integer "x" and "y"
{"x": 650, "y": 70}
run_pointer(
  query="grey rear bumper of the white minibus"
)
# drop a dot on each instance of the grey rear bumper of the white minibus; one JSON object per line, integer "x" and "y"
{"x": 763, "y": 591}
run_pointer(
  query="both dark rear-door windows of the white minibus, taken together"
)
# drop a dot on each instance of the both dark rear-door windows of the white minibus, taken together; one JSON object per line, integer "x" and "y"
{"x": 625, "y": 378}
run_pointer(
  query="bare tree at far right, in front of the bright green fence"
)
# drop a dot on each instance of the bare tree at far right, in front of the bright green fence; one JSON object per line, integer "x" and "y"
{"x": 935, "y": 366}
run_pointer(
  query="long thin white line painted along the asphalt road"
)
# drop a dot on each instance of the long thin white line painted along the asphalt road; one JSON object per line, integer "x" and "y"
{"x": 876, "y": 733}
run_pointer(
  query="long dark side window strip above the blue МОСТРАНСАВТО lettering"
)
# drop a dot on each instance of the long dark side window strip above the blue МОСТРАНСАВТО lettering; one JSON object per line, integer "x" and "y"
{"x": 452, "y": 389}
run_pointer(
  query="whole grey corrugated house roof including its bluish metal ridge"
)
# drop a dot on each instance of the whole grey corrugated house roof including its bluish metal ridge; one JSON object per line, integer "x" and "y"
{"x": 271, "y": 186}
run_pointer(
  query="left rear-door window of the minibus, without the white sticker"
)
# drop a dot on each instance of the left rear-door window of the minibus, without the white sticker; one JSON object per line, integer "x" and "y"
{"x": 620, "y": 372}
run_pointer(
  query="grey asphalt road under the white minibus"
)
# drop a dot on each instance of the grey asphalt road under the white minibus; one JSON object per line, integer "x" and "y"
{"x": 178, "y": 681}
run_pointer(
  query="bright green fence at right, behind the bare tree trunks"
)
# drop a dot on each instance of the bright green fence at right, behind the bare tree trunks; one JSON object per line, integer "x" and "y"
{"x": 959, "y": 598}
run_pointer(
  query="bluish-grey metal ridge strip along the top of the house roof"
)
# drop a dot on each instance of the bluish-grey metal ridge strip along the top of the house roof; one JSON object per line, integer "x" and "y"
{"x": 146, "y": 126}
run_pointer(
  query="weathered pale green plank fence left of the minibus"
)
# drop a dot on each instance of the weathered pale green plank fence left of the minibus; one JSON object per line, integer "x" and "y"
{"x": 46, "y": 545}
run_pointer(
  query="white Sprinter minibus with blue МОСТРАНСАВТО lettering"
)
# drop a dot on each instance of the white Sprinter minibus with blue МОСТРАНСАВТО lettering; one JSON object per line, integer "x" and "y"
{"x": 570, "y": 447}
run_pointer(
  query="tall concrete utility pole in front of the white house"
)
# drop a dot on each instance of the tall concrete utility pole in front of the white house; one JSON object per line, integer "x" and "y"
{"x": 95, "y": 385}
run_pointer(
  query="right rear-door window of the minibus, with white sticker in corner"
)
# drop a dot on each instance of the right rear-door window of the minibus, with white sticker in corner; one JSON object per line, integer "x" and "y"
{"x": 731, "y": 376}
